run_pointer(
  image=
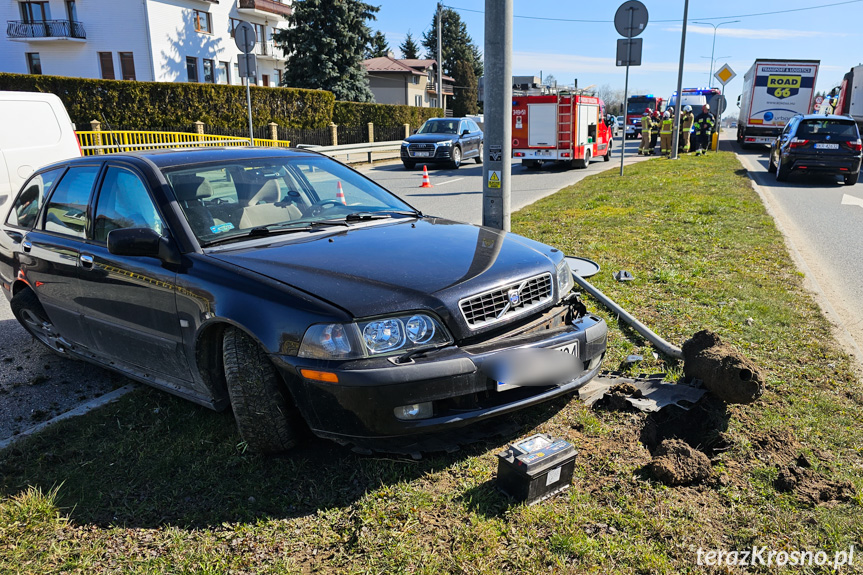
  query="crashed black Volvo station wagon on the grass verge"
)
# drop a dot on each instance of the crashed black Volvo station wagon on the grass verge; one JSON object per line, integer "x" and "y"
{"x": 298, "y": 292}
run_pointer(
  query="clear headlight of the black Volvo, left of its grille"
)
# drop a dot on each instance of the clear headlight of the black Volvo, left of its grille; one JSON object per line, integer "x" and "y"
{"x": 372, "y": 338}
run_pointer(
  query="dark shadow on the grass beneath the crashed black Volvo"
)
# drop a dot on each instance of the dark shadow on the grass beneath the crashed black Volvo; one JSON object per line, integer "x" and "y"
{"x": 152, "y": 459}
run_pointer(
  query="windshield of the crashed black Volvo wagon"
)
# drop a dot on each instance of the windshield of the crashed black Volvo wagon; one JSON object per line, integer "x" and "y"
{"x": 236, "y": 199}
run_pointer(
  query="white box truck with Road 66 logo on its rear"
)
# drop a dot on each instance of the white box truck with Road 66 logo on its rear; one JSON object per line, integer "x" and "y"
{"x": 774, "y": 91}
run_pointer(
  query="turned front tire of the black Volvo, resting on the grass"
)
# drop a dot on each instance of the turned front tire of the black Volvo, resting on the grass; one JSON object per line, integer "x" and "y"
{"x": 266, "y": 419}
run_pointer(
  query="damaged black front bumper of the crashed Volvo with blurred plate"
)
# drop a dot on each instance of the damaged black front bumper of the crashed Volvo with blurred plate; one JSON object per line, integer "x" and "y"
{"x": 449, "y": 388}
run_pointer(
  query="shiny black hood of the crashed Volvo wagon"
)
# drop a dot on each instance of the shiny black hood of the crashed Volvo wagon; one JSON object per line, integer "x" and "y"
{"x": 401, "y": 265}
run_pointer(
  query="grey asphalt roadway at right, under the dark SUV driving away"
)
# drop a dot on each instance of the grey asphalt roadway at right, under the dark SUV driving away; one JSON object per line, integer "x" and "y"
{"x": 823, "y": 220}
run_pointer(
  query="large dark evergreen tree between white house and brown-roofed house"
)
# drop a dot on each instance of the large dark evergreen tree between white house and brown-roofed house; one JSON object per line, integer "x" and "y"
{"x": 325, "y": 42}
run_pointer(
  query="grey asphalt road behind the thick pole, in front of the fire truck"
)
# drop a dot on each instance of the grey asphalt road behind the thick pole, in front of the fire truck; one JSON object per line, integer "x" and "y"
{"x": 457, "y": 194}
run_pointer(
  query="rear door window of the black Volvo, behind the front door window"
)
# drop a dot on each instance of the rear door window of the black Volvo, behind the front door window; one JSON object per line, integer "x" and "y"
{"x": 66, "y": 212}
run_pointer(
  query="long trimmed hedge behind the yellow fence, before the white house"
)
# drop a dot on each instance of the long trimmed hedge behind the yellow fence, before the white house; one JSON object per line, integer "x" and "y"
{"x": 161, "y": 105}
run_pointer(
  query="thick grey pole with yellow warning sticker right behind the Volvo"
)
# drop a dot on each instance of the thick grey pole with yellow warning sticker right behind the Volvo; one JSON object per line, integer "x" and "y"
{"x": 497, "y": 163}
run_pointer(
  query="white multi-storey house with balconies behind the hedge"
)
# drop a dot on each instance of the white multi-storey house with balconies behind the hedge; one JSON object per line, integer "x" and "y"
{"x": 148, "y": 40}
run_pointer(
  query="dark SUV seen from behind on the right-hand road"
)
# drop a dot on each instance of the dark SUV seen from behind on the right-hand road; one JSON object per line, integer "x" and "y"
{"x": 815, "y": 143}
